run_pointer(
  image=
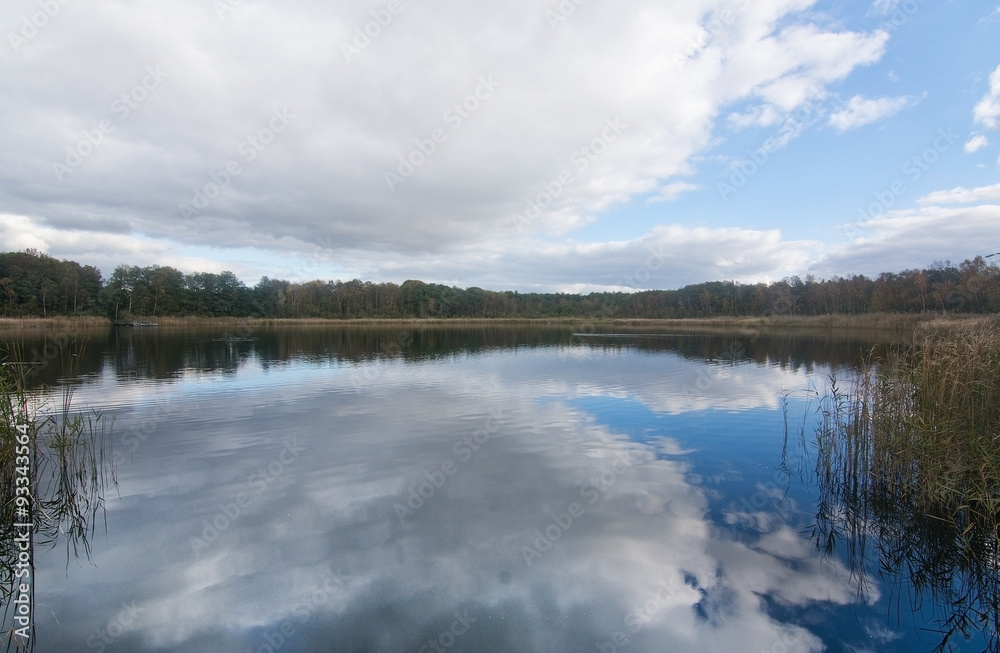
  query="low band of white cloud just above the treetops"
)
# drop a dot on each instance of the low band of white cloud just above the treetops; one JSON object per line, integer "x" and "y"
{"x": 666, "y": 256}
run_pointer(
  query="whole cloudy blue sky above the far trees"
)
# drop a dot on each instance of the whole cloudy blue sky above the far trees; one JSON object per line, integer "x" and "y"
{"x": 532, "y": 145}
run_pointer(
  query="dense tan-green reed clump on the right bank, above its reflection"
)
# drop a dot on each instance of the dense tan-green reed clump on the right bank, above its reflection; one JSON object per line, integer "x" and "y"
{"x": 930, "y": 414}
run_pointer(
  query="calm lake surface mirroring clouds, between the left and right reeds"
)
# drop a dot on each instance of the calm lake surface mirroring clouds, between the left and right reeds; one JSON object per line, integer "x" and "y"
{"x": 462, "y": 489}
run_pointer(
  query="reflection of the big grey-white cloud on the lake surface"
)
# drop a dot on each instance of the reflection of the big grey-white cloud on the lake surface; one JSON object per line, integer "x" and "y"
{"x": 652, "y": 517}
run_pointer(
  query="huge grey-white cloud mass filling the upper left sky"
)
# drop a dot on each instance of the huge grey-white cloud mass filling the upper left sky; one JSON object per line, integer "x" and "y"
{"x": 321, "y": 179}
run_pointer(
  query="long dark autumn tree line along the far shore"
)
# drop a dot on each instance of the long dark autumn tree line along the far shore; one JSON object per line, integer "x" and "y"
{"x": 33, "y": 284}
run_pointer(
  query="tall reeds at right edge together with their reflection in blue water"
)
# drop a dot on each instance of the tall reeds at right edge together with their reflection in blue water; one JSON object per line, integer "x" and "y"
{"x": 909, "y": 472}
